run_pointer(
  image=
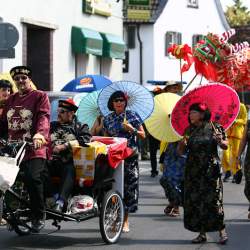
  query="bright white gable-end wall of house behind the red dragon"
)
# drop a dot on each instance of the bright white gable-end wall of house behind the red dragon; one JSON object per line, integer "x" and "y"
{"x": 188, "y": 21}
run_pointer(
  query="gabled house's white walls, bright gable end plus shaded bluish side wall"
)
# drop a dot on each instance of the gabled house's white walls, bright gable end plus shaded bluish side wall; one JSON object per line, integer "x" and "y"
{"x": 175, "y": 17}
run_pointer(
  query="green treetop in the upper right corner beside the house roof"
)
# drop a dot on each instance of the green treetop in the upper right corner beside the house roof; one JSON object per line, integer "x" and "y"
{"x": 238, "y": 15}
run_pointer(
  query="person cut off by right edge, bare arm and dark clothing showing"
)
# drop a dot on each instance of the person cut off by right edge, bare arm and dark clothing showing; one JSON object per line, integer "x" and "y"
{"x": 245, "y": 141}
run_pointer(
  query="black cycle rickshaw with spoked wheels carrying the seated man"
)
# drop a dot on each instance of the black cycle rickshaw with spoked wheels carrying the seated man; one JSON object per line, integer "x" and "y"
{"x": 108, "y": 202}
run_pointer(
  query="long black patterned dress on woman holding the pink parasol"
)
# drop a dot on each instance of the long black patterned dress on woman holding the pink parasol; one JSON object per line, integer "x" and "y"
{"x": 203, "y": 194}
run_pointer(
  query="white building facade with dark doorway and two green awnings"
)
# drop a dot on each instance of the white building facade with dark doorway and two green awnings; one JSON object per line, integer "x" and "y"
{"x": 63, "y": 39}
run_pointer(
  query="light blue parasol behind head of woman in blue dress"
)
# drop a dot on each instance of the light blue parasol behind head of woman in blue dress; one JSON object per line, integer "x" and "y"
{"x": 140, "y": 99}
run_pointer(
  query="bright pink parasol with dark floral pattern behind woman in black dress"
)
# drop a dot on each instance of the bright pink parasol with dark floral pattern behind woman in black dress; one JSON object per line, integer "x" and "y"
{"x": 222, "y": 101}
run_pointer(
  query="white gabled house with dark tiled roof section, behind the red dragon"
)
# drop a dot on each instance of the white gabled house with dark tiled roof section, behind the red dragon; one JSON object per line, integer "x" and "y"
{"x": 150, "y": 27}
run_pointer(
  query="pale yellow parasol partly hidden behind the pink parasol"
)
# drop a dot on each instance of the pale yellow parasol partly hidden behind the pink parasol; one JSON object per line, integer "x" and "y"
{"x": 158, "y": 124}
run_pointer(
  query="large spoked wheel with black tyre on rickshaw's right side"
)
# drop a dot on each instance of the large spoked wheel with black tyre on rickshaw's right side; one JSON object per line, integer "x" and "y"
{"x": 111, "y": 217}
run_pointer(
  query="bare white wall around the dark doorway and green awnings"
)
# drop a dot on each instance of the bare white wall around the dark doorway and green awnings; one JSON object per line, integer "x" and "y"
{"x": 63, "y": 14}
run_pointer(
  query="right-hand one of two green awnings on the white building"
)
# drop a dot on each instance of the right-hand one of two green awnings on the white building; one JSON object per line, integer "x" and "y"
{"x": 113, "y": 46}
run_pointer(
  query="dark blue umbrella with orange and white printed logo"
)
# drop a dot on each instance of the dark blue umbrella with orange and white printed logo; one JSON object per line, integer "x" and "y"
{"x": 87, "y": 83}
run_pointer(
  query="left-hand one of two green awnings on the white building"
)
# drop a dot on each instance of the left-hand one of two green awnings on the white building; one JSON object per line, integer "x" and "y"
{"x": 86, "y": 41}
